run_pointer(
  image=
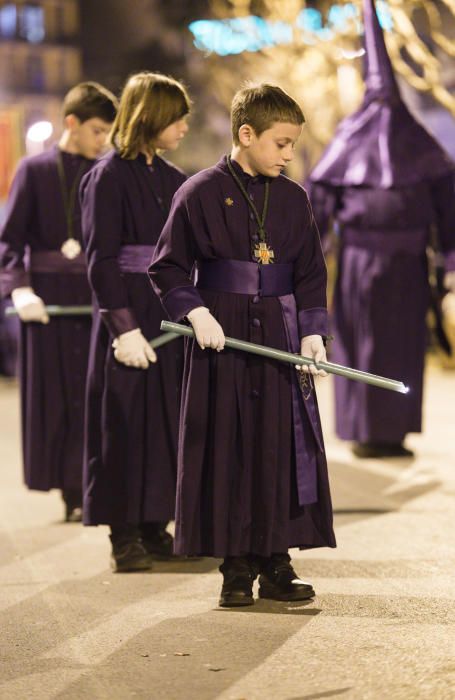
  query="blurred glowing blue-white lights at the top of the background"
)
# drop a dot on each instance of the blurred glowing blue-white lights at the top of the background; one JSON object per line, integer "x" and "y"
{"x": 233, "y": 36}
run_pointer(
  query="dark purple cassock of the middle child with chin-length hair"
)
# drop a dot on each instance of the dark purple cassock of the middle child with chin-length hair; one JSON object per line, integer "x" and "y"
{"x": 132, "y": 414}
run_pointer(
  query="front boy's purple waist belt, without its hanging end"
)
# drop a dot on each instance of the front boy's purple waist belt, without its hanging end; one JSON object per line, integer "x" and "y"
{"x": 240, "y": 277}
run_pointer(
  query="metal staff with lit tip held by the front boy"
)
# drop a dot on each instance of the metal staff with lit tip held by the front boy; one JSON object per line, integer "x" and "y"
{"x": 295, "y": 359}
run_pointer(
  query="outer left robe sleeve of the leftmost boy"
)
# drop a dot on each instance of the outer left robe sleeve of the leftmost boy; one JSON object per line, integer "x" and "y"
{"x": 15, "y": 231}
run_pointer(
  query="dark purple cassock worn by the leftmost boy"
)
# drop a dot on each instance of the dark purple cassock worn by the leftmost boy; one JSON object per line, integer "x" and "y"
{"x": 53, "y": 357}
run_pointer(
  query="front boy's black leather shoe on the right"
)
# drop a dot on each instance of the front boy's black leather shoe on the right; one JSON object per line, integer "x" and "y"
{"x": 279, "y": 581}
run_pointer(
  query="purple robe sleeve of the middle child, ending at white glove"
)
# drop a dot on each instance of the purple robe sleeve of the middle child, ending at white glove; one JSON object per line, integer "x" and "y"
{"x": 102, "y": 217}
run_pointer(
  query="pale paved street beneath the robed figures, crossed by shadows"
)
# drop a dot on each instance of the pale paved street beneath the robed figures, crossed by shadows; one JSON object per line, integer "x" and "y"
{"x": 382, "y": 626}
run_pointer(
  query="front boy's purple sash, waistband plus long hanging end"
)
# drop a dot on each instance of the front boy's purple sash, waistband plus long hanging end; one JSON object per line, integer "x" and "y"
{"x": 240, "y": 277}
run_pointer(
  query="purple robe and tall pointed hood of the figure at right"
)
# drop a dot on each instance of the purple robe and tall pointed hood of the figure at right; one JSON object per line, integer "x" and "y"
{"x": 388, "y": 185}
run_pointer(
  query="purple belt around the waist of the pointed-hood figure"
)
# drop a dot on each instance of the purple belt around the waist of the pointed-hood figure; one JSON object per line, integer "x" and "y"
{"x": 413, "y": 242}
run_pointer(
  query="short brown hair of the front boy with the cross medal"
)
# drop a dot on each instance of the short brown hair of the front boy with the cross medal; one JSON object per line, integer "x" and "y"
{"x": 261, "y": 106}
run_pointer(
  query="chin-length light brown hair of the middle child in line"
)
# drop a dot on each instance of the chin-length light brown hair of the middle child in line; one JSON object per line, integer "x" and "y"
{"x": 149, "y": 103}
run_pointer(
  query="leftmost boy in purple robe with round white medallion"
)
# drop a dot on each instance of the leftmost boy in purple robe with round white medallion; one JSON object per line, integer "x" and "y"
{"x": 41, "y": 262}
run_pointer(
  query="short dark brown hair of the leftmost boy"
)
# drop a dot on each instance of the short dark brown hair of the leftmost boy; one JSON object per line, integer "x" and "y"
{"x": 89, "y": 100}
